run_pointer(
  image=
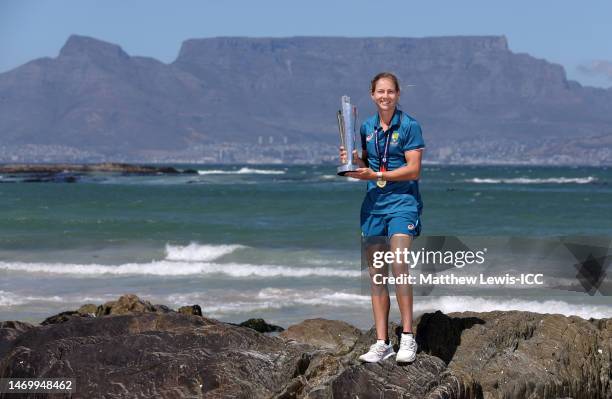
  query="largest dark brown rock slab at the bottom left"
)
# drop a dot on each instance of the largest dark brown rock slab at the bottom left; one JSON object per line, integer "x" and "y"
{"x": 169, "y": 355}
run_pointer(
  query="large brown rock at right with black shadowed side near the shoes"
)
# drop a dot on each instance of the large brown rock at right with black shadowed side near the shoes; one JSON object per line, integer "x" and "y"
{"x": 522, "y": 354}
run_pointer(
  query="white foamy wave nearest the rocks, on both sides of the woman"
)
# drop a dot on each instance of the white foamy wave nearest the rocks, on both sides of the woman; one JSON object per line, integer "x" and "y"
{"x": 220, "y": 303}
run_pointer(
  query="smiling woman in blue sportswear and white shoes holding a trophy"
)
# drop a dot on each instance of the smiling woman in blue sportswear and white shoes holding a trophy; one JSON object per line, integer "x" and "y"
{"x": 392, "y": 146}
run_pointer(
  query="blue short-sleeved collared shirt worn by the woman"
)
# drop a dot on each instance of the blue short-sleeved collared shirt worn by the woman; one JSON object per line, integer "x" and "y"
{"x": 405, "y": 135}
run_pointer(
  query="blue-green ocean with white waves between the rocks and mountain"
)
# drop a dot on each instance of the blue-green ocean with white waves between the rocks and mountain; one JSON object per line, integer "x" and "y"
{"x": 277, "y": 242}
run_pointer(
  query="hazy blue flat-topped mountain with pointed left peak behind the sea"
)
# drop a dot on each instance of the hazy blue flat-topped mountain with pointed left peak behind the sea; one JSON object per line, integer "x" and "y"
{"x": 223, "y": 98}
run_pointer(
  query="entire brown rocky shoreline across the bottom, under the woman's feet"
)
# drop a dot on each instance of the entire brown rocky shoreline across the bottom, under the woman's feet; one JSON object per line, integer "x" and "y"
{"x": 132, "y": 348}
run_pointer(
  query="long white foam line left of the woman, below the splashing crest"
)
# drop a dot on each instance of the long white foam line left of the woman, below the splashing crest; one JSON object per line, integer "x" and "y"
{"x": 174, "y": 268}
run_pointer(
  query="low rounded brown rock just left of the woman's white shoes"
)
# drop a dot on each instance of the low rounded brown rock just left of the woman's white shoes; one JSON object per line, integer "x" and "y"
{"x": 336, "y": 336}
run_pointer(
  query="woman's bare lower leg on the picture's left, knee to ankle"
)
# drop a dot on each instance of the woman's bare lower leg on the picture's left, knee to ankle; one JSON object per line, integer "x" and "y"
{"x": 379, "y": 293}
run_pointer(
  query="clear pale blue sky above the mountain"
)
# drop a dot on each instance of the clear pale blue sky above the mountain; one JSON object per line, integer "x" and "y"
{"x": 571, "y": 33}
